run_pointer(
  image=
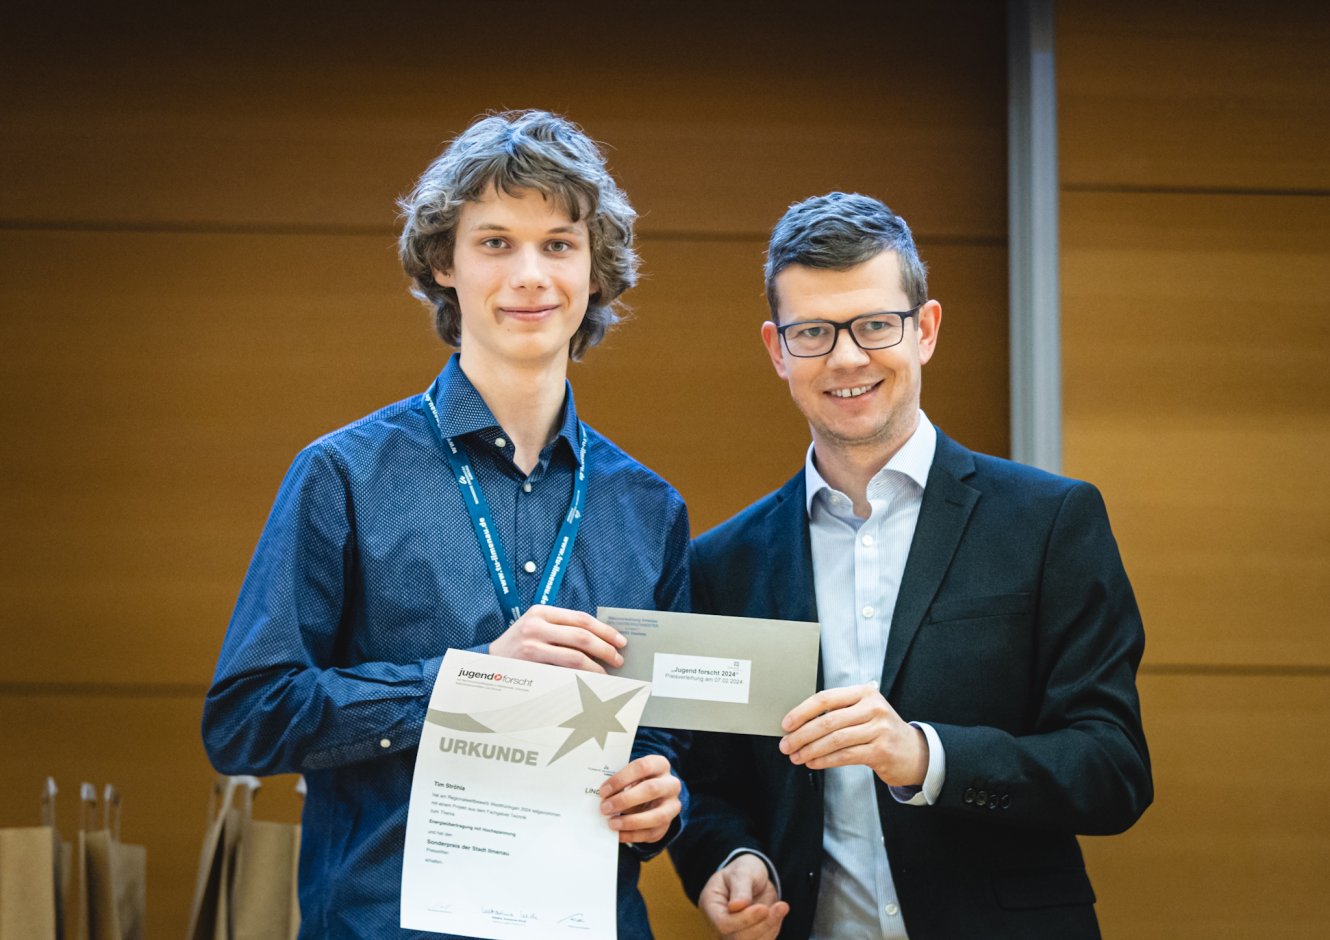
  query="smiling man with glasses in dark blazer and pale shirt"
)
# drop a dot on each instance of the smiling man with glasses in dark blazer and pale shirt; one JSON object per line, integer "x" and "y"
{"x": 978, "y": 700}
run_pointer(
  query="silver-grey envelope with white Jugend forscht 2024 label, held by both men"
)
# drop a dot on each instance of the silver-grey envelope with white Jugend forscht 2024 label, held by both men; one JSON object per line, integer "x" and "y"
{"x": 714, "y": 673}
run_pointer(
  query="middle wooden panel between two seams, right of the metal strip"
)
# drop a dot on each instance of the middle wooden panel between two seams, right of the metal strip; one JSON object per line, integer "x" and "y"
{"x": 1198, "y": 366}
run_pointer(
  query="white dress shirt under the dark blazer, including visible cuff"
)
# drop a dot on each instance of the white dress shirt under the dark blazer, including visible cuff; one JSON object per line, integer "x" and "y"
{"x": 857, "y": 571}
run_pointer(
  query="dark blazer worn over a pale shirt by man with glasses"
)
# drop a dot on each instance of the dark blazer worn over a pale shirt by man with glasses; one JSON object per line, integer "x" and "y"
{"x": 1017, "y": 636}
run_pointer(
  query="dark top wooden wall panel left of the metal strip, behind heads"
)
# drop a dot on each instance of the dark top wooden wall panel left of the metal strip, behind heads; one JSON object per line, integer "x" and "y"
{"x": 718, "y": 114}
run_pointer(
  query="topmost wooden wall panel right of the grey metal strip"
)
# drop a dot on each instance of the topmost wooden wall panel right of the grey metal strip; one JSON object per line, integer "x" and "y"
{"x": 1228, "y": 95}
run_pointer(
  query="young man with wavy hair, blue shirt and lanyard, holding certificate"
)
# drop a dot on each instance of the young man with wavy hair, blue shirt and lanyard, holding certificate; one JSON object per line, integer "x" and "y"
{"x": 372, "y": 566}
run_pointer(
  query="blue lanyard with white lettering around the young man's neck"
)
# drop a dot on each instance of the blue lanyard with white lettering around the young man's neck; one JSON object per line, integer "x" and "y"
{"x": 501, "y": 574}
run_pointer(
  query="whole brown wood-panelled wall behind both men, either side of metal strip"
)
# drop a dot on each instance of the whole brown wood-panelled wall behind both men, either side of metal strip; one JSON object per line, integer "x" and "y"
{"x": 198, "y": 277}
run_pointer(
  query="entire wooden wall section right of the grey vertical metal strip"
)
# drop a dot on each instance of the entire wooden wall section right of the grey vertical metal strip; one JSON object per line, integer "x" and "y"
{"x": 1196, "y": 389}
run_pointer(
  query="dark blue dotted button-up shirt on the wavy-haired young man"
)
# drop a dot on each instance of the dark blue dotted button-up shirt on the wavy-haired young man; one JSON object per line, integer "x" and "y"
{"x": 366, "y": 572}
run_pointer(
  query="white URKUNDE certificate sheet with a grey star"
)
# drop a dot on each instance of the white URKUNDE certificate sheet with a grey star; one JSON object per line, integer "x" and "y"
{"x": 505, "y": 833}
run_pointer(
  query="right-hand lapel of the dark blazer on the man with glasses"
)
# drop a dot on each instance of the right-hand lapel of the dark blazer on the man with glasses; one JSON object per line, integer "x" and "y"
{"x": 948, "y": 503}
